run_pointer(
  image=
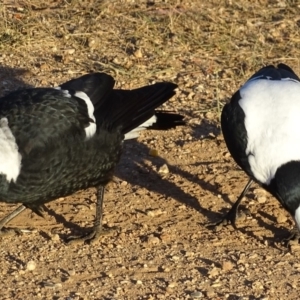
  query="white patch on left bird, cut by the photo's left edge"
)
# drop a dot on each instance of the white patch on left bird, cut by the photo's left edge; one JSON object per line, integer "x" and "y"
{"x": 10, "y": 158}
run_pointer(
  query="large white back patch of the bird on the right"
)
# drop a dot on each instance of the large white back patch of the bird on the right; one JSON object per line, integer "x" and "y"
{"x": 272, "y": 121}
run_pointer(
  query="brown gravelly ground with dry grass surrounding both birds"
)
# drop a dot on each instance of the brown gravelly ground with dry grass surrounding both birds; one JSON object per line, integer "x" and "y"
{"x": 159, "y": 205}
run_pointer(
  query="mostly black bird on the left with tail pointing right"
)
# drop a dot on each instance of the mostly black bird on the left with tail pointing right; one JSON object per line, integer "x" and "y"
{"x": 56, "y": 141}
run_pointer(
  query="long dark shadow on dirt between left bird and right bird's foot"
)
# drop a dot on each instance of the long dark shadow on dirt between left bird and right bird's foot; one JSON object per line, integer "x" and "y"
{"x": 139, "y": 169}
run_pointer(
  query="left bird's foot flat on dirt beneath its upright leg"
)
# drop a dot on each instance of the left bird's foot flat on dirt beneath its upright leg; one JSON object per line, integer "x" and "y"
{"x": 91, "y": 237}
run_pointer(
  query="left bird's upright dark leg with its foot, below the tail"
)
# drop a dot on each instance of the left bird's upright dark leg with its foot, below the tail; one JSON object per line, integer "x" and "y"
{"x": 97, "y": 230}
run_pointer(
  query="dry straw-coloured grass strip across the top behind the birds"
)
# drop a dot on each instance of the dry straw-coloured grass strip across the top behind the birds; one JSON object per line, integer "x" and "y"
{"x": 208, "y": 48}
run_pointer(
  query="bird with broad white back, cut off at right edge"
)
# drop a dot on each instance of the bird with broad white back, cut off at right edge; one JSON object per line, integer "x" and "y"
{"x": 261, "y": 130}
